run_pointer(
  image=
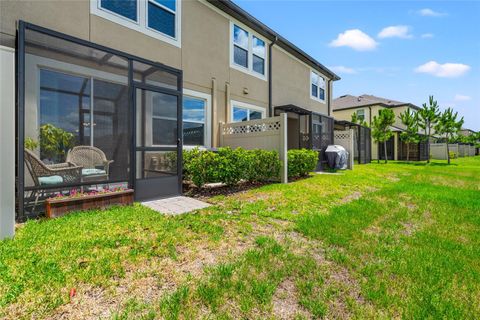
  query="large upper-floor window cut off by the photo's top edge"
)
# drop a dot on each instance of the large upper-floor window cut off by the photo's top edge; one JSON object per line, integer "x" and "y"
{"x": 156, "y": 18}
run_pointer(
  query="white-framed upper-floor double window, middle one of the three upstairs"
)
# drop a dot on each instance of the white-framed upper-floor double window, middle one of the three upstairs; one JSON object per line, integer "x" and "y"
{"x": 248, "y": 52}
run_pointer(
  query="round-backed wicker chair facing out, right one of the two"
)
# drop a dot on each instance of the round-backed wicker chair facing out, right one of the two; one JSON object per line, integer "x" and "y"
{"x": 94, "y": 163}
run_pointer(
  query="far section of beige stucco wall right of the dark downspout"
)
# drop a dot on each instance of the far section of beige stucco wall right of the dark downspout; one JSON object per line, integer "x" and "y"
{"x": 291, "y": 83}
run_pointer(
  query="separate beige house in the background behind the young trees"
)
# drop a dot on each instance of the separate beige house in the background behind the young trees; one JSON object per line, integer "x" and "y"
{"x": 368, "y": 106}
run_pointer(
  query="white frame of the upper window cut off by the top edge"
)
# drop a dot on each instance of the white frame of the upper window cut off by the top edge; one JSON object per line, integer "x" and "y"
{"x": 142, "y": 24}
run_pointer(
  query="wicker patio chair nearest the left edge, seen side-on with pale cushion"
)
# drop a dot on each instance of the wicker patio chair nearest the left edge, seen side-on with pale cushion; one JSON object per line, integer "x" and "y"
{"x": 44, "y": 175}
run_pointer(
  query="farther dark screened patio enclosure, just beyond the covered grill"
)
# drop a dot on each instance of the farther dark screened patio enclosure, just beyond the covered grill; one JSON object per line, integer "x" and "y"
{"x": 362, "y": 142}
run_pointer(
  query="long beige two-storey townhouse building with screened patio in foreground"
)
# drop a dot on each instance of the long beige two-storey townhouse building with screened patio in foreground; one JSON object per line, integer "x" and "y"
{"x": 141, "y": 79}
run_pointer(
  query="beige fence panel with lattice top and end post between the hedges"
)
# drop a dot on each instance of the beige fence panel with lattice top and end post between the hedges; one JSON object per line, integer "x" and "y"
{"x": 266, "y": 134}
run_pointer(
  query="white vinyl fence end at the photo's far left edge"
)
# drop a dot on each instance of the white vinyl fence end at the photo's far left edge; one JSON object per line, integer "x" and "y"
{"x": 7, "y": 137}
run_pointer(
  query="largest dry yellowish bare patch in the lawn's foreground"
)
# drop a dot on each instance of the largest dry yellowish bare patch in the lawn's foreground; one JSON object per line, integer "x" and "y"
{"x": 149, "y": 280}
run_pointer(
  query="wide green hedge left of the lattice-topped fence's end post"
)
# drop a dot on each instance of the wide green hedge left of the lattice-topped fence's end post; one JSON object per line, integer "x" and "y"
{"x": 229, "y": 166}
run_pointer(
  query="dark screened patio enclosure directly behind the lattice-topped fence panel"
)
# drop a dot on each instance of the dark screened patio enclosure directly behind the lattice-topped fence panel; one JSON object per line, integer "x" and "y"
{"x": 307, "y": 129}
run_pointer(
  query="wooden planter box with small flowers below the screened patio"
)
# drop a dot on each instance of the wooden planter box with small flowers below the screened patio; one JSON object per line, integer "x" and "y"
{"x": 62, "y": 204}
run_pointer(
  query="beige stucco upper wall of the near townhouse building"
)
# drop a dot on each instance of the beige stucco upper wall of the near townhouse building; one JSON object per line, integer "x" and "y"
{"x": 204, "y": 54}
